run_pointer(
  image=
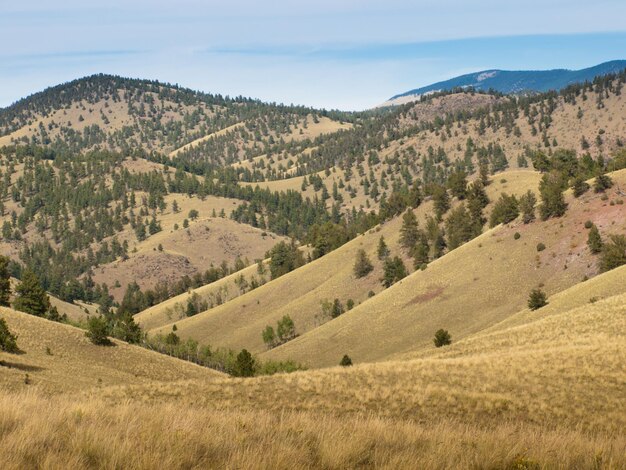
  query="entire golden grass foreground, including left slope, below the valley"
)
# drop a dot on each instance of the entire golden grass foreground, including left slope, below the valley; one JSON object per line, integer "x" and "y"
{"x": 547, "y": 393}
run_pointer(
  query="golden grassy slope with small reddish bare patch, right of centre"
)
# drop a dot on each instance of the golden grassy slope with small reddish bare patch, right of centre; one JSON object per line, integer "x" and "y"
{"x": 469, "y": 289}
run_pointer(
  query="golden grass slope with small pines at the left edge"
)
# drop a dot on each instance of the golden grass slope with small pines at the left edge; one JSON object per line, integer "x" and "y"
{"x": 72, "y": 363}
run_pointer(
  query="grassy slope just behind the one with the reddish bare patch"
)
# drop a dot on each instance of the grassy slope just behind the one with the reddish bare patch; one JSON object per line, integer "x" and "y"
{"x": 238, "y": 323}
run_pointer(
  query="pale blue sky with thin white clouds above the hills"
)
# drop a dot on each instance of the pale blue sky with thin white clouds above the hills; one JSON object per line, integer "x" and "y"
{"x": 333, "y": 54}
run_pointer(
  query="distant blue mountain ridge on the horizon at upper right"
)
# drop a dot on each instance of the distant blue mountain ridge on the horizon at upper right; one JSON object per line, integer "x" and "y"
{"x": 506, "y": 81}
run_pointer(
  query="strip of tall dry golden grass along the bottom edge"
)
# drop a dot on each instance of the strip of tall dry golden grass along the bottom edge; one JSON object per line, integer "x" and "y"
{"x": 41, "y": 433}
